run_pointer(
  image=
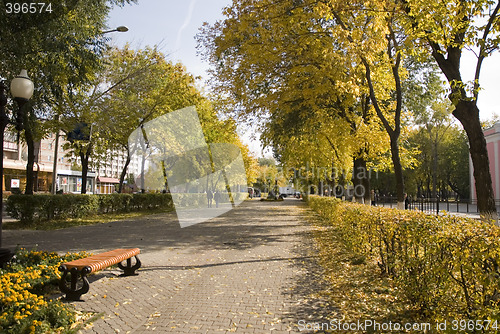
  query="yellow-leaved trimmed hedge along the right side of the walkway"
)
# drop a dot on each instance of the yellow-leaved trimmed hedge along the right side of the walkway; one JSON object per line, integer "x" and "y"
{"x": 446, "y": 267}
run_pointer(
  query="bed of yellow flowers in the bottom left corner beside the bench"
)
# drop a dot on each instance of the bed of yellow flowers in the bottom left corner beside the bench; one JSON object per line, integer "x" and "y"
{"x": 24, "y": 285}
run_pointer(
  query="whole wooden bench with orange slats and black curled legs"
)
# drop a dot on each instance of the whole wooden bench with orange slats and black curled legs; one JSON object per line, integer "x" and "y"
{"x": 83, "y": 267}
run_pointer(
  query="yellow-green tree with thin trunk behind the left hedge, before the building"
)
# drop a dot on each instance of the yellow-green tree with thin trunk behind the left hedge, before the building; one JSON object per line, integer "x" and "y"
{"x": 146, "y": 86}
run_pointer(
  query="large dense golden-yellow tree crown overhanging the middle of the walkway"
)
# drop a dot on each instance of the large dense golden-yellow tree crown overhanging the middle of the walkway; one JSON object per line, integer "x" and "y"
{"x": 279, "y": 66}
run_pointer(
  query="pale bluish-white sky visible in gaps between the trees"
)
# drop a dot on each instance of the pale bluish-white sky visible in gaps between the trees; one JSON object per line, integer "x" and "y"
{"x": 172, "y": 24}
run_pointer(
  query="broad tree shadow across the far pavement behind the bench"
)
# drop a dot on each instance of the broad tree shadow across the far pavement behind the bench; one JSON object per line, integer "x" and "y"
{"x": 241, "y": 228}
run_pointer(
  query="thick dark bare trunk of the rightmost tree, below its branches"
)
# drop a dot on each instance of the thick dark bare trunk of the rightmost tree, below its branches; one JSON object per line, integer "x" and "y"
{"x": 468, "y": 114}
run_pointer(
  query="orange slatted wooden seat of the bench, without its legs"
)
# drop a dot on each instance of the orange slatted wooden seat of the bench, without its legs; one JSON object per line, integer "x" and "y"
{"x": 103, "y": 260}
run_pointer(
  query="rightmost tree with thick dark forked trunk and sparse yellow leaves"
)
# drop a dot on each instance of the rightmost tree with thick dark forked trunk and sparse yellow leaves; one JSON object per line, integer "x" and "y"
{"x": 449, "y": 28}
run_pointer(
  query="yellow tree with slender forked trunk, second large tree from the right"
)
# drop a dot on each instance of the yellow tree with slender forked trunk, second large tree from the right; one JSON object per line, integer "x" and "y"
{"x": 375, "y": 34}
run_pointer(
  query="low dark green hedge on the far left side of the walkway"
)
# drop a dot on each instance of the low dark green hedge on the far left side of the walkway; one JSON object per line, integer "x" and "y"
{"x": 44, "y": 207}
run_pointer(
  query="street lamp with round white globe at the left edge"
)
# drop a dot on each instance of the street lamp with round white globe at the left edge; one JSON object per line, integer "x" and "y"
{"x": 21, "y": 89}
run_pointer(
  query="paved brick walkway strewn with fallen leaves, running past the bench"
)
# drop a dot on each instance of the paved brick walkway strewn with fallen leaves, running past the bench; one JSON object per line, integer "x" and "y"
{"x": 251, "y": 270}
